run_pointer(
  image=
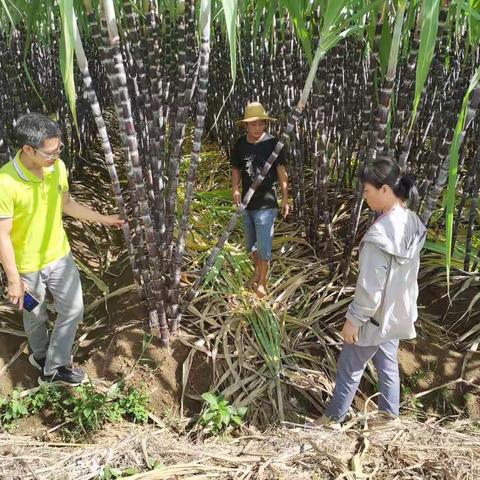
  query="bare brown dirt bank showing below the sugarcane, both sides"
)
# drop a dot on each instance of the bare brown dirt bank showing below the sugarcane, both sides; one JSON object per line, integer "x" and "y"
{"x": 127, "y": 353}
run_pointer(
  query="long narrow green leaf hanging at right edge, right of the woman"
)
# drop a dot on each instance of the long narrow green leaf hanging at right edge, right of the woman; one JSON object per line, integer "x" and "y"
{"x": 453, "y": 171}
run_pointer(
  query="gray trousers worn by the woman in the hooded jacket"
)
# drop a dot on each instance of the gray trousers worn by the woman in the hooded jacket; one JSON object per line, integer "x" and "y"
{"x": 351, "y": 365}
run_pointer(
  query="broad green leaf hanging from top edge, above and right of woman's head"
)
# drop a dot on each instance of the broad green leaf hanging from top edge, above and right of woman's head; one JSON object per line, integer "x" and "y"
{"x": 428, "y": 38}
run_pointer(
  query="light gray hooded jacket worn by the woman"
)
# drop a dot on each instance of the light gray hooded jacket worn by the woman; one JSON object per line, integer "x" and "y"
{"x": 385, "y": 301}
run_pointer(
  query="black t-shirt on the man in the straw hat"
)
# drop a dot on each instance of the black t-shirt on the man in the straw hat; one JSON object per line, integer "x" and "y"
{"x": 250, "y": 158}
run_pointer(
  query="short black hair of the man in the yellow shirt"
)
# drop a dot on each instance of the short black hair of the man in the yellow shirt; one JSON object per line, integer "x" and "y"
{"x": 33, "y": 129}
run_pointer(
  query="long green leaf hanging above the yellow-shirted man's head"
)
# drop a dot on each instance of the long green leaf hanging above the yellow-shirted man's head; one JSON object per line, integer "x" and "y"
{"x": 67, "y": 43}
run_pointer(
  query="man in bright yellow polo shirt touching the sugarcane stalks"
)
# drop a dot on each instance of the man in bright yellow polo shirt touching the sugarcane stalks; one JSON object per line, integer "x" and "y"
{"x": 34, "y": 249}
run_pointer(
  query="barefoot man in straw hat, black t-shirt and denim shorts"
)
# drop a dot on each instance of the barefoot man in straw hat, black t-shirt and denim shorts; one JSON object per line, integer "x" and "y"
{"x": 250, "y": 153}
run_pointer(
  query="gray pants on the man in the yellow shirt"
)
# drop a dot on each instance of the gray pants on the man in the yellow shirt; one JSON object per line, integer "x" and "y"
{"x": 62, "y": 279}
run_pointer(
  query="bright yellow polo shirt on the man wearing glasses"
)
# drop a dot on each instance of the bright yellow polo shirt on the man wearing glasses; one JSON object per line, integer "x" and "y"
{"x": 36, "y": 207}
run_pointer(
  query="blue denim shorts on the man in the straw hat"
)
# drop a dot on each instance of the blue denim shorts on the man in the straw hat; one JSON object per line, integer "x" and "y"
{"x": 258, "y": 228}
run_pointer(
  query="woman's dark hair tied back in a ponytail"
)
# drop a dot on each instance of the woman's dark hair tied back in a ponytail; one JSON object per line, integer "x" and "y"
{"x": 387, "y": 172}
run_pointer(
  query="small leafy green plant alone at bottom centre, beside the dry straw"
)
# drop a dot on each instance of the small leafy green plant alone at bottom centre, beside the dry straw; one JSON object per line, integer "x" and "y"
{"x": 218, "y": 415}
